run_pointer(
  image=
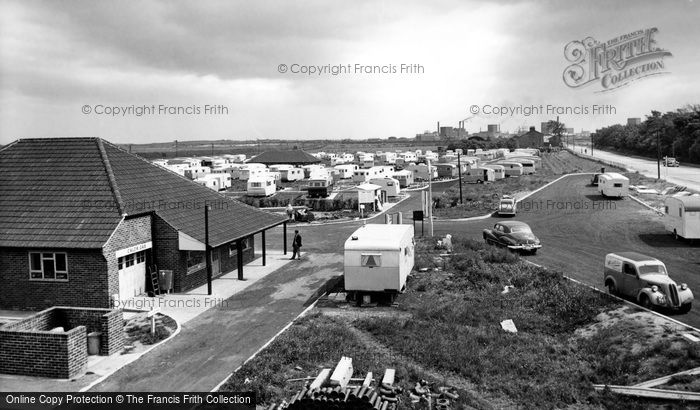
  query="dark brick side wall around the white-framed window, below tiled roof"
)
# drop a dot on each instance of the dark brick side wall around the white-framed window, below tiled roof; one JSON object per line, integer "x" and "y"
{"x": 86, "y": 286}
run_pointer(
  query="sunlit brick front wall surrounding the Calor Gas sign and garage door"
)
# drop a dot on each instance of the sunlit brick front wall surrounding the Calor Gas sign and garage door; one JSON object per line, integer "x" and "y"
{"x": 130, "y": 232}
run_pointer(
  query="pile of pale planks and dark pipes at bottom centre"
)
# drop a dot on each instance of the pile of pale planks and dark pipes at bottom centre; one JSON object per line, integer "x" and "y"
{"x": 336, "y": 390}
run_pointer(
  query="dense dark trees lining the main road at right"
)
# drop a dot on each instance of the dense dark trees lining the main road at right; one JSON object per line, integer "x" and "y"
{"x": 677, "y": 133}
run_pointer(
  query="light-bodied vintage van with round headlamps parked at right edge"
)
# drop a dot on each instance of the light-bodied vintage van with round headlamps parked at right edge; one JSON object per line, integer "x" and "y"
{"x": 645, "y": 279}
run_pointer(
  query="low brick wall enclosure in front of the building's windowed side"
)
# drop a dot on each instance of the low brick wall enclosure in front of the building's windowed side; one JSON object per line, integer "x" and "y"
{"x": 29, "y": 347}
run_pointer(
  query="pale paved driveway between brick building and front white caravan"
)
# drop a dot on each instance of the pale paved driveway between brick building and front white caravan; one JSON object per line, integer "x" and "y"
{"x": 209, "y": 348}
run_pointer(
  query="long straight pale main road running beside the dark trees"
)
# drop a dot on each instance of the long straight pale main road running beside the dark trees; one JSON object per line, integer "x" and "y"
{"x": 683, "y": 175}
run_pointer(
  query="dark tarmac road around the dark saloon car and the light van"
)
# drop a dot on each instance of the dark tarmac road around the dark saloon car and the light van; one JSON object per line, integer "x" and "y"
{"x": 575, "y": 241}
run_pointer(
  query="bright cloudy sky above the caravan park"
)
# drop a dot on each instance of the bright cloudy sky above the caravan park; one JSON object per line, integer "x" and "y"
{"x": 157, "y": 71}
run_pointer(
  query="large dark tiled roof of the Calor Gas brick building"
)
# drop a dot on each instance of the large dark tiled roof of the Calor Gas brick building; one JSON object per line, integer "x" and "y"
{"x": 71, "y": 192}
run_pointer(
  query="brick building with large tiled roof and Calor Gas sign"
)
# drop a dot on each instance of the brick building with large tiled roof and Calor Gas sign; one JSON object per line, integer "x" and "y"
{"x": 84, "y": 223}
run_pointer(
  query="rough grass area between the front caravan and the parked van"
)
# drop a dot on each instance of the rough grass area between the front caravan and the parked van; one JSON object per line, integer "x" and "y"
{"x": 447, "y": 330}
